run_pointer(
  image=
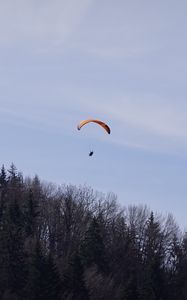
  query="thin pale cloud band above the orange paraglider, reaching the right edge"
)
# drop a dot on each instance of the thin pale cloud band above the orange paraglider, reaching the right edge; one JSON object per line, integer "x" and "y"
{"x": 148, "y": 112}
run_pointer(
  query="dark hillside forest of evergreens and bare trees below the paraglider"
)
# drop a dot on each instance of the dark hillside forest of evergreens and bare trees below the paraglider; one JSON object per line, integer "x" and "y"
{"x": 73, "y": 243}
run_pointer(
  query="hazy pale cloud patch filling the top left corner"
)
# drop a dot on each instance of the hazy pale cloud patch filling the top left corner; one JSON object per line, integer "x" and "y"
{"x": 44, "y": 23}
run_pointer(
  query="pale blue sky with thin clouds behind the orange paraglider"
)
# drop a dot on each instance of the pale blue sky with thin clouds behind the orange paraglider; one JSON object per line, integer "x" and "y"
{"x": 121, "y": 61}
